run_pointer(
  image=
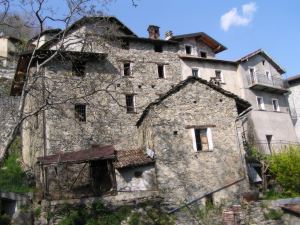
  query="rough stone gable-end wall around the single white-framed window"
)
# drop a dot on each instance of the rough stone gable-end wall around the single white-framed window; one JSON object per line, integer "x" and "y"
{"x": 182, "y": 173}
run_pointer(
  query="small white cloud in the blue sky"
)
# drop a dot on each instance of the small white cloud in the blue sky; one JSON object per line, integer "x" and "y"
{"x": 234, "y": 18}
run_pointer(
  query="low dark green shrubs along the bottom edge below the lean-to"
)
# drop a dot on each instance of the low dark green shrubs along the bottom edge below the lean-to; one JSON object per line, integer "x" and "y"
{"x": 98, "y": 214}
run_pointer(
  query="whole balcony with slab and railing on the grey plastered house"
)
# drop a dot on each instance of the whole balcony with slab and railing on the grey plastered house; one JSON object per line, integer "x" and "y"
{"x": 272, "y": 84}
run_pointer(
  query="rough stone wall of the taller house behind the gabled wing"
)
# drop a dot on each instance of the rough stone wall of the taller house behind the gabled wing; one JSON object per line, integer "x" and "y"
{"x": 103, "y": 90}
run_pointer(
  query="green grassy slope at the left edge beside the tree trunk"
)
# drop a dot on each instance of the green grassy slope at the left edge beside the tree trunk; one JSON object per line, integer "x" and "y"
{"x": 12, "y": 177}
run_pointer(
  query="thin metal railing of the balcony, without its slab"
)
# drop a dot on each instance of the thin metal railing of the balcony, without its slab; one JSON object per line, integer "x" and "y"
{"x": 264, "y": 80}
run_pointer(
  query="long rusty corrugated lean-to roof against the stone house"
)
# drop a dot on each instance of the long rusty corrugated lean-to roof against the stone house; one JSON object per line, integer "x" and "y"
{"x": 91, "y": 154}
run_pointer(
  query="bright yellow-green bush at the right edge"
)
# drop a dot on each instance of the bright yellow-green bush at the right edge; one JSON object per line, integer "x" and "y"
{"x": 285, "y": 167}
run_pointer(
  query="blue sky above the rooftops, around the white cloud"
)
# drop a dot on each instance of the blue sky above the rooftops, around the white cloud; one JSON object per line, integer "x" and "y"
{"x": 274, "y": 27}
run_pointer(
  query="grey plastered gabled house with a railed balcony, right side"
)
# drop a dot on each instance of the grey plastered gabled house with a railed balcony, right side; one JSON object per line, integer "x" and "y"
{"x": 269, "y": 124}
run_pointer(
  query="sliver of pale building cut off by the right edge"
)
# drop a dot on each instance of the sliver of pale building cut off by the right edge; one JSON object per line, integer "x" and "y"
{"x": 294, "y": 102}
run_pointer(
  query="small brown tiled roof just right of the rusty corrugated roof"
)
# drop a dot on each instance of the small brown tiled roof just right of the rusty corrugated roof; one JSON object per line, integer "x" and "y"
{"x": 134, "y": 157}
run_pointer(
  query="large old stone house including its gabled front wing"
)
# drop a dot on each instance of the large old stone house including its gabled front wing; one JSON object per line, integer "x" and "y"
{"x": 92, "y": 114}
